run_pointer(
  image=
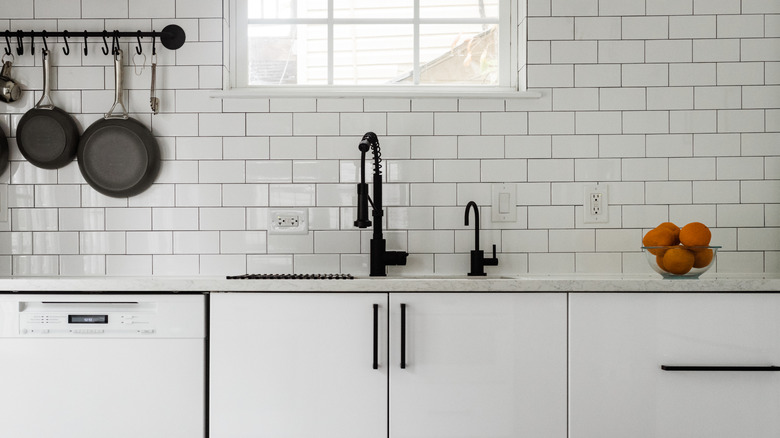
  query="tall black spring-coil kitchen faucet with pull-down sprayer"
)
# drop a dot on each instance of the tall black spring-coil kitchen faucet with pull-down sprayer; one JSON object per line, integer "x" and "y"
{"x": 380, "y": 257}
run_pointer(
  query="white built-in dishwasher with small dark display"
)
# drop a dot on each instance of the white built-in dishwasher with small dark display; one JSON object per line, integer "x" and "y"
{"x": 100, "y": 365}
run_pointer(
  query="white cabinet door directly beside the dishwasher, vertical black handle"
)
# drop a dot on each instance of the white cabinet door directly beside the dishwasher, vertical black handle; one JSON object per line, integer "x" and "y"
{"x": 297, "y": 365}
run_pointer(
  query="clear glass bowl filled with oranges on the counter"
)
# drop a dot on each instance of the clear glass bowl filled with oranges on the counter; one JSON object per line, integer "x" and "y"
{"x": 679, "y": 253}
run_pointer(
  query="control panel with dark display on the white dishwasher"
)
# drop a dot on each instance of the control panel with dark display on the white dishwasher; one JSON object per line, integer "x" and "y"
{"x": 110, "y": 319}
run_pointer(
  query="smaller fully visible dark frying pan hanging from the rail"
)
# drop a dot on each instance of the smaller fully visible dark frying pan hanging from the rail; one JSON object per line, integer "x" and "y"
{"x": 47, "y": 136}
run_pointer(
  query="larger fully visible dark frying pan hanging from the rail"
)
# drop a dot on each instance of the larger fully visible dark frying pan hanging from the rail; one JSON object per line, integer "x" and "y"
{"x": 118, "y": 156}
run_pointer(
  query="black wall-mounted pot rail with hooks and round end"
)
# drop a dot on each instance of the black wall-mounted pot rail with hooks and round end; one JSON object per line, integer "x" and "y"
{"x": 172, "y": 37}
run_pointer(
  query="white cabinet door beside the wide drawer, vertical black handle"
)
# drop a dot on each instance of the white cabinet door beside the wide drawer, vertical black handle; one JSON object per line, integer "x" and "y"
{"x": 478, "y": 365}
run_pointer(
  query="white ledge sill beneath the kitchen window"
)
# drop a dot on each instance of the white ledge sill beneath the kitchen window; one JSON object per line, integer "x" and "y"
{"x": 362, "y": 92}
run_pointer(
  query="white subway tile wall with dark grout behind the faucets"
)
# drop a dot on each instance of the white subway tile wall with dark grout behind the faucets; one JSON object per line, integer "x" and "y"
{"x": 673, "y": 103}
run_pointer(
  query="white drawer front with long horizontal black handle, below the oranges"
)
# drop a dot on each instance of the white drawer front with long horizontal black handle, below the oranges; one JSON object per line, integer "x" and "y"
{"x": 618, "y": 343}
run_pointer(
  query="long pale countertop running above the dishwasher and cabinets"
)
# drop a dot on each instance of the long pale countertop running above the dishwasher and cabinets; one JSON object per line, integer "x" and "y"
{"x": 521, "y": 283}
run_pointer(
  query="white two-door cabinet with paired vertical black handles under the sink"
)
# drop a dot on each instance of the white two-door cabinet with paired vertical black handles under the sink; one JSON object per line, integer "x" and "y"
{"x": 474, "y": 365}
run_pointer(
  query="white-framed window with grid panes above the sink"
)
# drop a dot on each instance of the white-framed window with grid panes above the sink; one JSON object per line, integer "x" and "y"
{"x": 374, "y": 46}
